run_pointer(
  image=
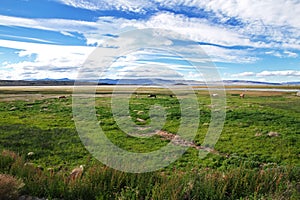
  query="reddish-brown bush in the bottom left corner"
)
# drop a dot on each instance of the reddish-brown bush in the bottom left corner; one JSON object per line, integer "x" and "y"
{"x": 9, "y": 187}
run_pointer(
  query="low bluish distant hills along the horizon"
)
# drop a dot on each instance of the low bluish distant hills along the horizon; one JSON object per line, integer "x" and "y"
{"x": 66, "y": 81}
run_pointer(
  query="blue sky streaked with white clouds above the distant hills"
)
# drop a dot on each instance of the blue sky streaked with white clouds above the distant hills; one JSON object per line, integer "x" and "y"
{"x": 243, "y": 39}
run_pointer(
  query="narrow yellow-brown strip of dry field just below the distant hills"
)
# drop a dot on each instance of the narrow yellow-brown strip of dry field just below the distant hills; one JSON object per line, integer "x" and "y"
{"x": 31, "y": 93}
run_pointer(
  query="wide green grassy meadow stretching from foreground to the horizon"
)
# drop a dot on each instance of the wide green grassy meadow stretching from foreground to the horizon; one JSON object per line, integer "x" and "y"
{"x": 256, "y": 156}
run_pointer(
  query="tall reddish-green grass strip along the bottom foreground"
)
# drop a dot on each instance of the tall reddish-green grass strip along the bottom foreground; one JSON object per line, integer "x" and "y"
{"x": 98, "y": 182}
